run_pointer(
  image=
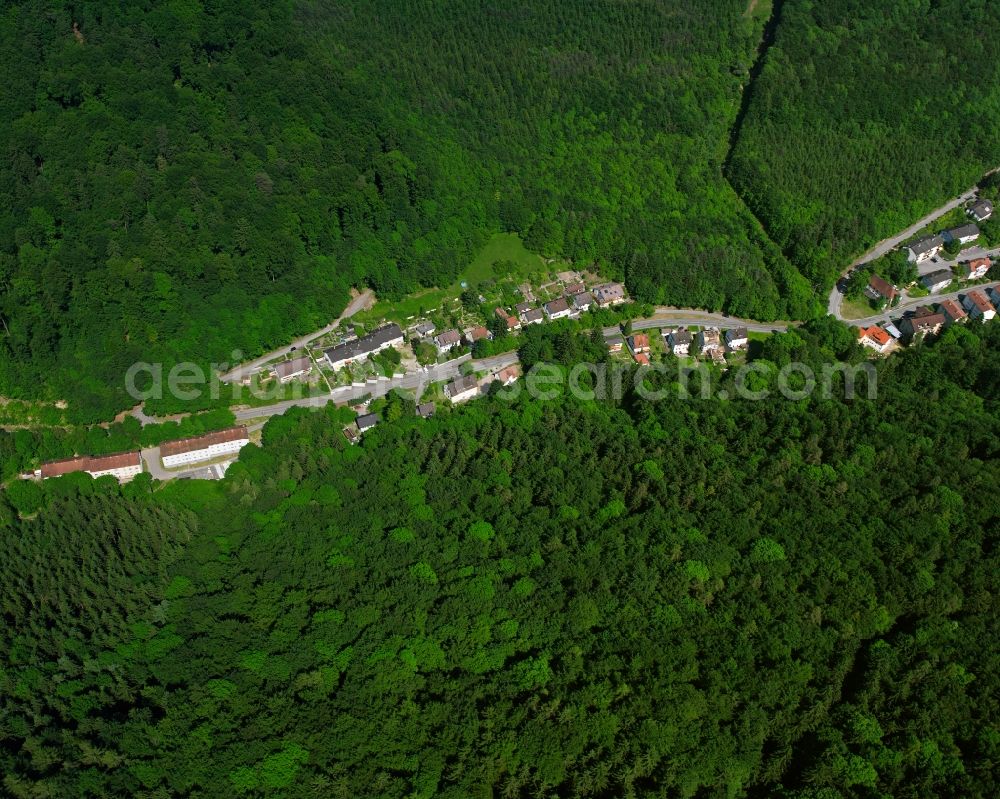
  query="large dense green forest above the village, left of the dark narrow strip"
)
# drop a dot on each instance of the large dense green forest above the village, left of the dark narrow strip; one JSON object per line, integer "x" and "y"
{"x": 188, "y": 178}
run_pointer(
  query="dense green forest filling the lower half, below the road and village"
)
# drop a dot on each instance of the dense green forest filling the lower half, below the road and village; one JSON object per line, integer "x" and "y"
{"x": 524, "y": 598}
